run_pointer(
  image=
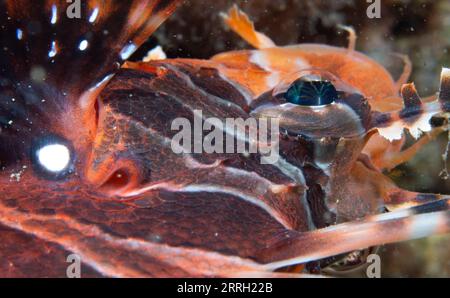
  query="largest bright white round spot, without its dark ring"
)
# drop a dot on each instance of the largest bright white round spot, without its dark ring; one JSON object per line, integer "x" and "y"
{"x": 54, "y": 157}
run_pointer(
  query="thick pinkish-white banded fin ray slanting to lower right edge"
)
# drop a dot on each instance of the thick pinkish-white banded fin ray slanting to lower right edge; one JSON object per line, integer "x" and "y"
{"x": 417, "y": 222}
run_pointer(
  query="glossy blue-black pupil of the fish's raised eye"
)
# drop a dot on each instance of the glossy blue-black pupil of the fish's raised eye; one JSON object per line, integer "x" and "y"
{"x": 311, "y": 93}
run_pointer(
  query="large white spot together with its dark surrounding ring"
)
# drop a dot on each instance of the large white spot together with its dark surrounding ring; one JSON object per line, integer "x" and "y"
{"x": 52, "y": 157}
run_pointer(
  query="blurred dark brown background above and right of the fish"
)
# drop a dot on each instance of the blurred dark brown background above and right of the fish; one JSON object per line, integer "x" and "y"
{"x": 418, "y": 28}
